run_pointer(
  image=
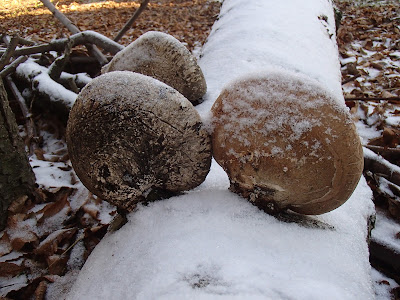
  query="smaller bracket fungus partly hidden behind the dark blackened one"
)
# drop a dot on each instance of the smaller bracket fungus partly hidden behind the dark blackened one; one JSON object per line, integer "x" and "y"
{"x": 163, "y": 57}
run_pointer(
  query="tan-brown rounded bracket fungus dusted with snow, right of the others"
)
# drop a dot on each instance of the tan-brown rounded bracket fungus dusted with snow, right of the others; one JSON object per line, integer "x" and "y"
{"x": 285, "y": 143}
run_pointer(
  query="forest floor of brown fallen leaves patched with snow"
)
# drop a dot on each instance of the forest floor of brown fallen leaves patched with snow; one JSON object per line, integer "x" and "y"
{"x": 42, "y": 261}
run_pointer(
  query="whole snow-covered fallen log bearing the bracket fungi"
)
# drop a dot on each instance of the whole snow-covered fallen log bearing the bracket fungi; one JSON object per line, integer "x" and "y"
{"x": 213, "y": 244}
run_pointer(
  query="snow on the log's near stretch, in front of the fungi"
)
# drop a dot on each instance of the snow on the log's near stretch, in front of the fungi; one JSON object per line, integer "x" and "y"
{"x": 212, "y": 244}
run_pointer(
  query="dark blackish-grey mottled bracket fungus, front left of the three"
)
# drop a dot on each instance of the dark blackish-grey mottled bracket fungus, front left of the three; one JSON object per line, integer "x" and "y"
{"x": 132, "y": 138}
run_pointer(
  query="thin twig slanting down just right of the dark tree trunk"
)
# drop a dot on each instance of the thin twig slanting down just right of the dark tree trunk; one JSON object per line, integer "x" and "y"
{"x": 30, "y": 125}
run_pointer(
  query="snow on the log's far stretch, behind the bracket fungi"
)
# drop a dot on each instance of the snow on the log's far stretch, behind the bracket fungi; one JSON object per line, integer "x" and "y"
{"x": 249, "y": 36}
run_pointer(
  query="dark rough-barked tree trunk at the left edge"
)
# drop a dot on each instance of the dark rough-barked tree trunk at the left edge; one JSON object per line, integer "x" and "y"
{"x": 16, "y": 176}
